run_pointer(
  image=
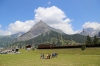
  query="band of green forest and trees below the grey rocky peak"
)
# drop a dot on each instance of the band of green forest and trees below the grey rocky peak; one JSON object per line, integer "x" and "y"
{"x": 52, "y": 38}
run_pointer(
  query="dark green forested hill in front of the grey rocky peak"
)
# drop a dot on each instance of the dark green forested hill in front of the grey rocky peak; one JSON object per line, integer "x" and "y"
{"x": 53, "y": 37}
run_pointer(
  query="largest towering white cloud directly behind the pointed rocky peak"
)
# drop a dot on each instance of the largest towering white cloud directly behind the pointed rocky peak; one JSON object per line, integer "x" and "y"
{"x": 54, "y": 17}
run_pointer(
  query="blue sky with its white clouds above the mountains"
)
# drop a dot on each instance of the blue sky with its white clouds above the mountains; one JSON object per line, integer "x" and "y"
{"x": 79, "y": 14}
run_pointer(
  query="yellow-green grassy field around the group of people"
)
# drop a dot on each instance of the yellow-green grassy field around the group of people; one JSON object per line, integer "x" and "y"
{"x": 66, "y": 57}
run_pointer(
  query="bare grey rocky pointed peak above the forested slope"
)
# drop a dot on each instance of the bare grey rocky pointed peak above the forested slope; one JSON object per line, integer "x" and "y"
{"x": 38, "y": 29}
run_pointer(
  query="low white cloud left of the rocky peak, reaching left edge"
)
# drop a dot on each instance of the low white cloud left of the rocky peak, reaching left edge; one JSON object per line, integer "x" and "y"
{"x": 18, "y": 26}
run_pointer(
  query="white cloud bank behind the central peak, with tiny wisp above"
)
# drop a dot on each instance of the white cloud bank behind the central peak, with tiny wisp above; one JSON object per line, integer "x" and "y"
{"x": 53, "y": 16}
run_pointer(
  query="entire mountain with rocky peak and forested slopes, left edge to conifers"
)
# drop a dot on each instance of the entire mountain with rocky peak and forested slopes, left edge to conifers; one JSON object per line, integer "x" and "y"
{"x": 41, "y": 33}
